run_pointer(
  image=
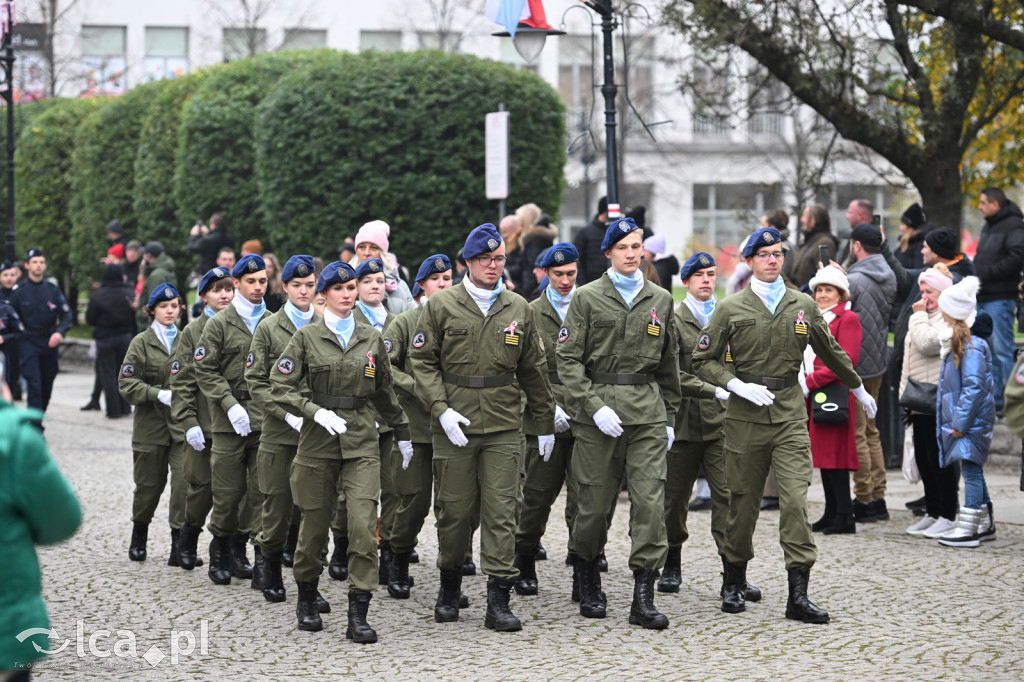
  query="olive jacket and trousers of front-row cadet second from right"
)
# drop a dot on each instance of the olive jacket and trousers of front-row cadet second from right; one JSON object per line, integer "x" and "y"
{"x": 624, "y": 358}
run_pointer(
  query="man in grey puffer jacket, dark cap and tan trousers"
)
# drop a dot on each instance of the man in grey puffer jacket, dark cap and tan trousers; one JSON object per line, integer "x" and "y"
{"x": 873, "y": 289}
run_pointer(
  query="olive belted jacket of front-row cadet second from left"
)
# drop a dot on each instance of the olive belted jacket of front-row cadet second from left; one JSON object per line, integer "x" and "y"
{"x": 454, "y": 336}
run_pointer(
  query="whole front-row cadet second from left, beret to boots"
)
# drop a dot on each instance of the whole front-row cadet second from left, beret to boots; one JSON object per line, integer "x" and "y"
{"x": 473, "y": 345}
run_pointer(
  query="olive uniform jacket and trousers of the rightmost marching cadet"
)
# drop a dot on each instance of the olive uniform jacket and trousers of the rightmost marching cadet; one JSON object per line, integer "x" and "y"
{"x": 767, "y": 350}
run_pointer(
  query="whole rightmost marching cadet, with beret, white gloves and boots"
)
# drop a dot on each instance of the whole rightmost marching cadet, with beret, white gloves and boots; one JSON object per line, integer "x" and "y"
{"x": 765, "y": 328}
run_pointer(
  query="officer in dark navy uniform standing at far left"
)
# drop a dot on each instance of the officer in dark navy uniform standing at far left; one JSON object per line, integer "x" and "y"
{"x": 48, "y": 318}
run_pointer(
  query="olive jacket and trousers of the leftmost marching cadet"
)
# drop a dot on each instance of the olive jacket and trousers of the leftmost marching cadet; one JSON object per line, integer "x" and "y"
{"x": 156, "y": 441}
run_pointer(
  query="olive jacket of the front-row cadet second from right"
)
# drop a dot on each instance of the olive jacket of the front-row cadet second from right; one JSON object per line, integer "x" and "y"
{"x": 602, "y": 334}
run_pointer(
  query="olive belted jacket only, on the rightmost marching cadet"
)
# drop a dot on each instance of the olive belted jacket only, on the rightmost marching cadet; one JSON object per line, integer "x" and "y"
{"x": 765, "y": 346}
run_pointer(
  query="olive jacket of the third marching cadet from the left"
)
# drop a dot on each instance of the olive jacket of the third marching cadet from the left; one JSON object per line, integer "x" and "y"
{"x": 221, "y": 361}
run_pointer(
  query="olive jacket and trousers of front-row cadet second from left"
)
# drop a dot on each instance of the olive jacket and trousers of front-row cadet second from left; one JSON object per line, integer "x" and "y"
{"x": 456, "y": 349}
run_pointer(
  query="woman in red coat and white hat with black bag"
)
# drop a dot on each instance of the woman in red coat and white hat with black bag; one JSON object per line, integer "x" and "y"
{"x": 833, "y": 446}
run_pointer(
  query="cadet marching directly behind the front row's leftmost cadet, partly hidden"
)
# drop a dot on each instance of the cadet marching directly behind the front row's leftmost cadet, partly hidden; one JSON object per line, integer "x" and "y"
{"x": 279, "y": 439}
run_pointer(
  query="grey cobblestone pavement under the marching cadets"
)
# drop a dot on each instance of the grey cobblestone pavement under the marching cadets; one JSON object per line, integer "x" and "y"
{"x": 902, "y": 608}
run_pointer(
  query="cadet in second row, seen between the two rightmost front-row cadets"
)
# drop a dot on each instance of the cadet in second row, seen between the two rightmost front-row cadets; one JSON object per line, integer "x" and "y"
{"x": 699, "y": 430}
